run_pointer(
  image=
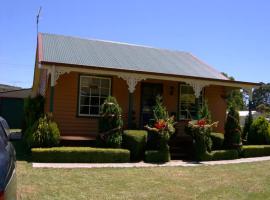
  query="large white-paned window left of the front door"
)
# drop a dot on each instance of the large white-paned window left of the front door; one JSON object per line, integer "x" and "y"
{"x": 93, "y": 91}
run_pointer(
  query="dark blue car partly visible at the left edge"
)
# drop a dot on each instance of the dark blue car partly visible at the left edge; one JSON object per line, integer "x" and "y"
{"x": 8, "y": 184}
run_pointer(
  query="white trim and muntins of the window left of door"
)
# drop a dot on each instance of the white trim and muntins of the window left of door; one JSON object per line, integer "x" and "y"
{"x": 79, "y": 99}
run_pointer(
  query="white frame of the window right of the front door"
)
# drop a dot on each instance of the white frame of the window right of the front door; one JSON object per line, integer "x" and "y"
{"x": 201, "y": 101}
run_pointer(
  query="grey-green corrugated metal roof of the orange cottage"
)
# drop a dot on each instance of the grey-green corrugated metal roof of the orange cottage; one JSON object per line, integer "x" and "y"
{"x": 114, "y": 55}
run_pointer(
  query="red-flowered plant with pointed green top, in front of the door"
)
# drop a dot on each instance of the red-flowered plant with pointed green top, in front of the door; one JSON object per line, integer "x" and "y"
{"x": 163, "y": 126}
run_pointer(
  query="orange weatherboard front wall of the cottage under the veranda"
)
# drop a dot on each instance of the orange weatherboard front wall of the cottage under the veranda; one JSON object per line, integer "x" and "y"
{"x": 66, "y": 97}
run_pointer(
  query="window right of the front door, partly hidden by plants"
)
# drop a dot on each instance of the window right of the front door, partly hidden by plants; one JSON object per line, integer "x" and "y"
{"x": 187, "y": 104}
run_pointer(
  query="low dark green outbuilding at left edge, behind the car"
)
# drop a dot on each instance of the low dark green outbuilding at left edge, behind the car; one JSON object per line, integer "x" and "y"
{"x": 11, "y": 106}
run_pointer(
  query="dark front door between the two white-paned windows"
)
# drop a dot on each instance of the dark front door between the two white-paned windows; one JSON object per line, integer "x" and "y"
{"x": 149, "y": 91}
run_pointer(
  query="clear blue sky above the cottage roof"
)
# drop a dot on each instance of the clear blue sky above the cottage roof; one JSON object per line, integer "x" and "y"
{"x": 232, "y": 36}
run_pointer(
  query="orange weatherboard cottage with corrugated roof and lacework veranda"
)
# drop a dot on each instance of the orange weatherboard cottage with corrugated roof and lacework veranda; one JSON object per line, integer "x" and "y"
{"x": 75, "y": 75}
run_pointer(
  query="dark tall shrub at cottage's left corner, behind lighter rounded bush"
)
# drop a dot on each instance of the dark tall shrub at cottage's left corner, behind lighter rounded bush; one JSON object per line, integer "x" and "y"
{"x": 33, "y": 110}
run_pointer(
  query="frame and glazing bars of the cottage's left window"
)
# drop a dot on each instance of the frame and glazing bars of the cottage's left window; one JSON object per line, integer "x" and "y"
{"x": 79, "y": 95}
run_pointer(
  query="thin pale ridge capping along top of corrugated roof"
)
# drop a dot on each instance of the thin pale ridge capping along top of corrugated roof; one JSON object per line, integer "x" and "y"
{"x": 114, "y": 42}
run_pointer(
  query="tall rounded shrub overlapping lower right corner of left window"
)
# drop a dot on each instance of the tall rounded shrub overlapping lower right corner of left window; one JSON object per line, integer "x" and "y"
{"x": 110, "y": 124}
